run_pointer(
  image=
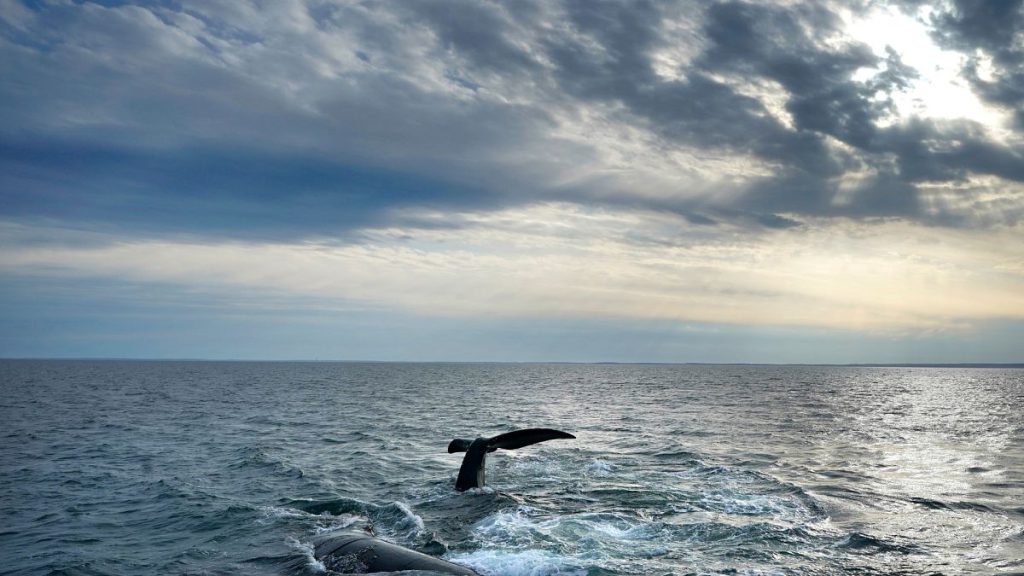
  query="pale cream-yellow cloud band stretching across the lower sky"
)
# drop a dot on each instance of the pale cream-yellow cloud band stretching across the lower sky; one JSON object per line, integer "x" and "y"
{"x": 563, "y": 262}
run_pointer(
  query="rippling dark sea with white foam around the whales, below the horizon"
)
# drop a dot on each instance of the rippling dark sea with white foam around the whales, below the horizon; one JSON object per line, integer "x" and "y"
{"x": 179, "y": 468}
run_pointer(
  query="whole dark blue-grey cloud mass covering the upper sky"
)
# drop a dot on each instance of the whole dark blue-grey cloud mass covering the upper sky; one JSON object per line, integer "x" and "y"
{"x": 325, "y": 118}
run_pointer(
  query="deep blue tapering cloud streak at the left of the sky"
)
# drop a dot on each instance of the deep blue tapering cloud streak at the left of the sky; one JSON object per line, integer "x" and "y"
{"x": 244, "y": 194}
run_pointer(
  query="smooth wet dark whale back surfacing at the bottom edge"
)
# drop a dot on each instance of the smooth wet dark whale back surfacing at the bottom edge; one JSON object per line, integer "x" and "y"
{"x": 357, "y": 553}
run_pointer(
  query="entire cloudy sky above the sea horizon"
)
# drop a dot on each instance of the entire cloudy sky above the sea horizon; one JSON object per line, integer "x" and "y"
{"x": 521, "y": 181}
